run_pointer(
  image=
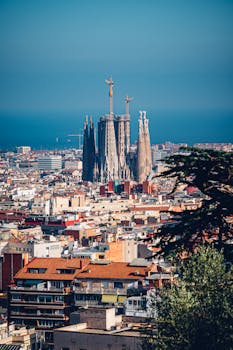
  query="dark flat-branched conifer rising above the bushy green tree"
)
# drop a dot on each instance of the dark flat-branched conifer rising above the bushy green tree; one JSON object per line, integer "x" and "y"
{"x": 212, "y": 173}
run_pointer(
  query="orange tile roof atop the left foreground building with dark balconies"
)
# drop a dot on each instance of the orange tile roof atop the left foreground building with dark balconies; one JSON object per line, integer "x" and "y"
{"x": 52, "y": 266}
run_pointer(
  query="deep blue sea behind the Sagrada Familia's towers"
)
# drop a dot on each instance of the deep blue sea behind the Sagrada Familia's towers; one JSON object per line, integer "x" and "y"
{"x": 52, "y": 130}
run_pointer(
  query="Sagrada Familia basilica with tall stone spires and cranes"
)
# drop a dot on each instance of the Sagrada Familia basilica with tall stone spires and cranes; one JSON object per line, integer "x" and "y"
{"x": 114, "y": 159}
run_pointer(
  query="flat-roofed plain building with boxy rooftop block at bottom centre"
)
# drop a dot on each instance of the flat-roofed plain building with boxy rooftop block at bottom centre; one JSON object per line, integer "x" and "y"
{"x": 99, "y": 329}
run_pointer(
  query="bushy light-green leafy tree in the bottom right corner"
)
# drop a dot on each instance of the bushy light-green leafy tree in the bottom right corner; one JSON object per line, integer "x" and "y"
{"x": 195, "y": 313}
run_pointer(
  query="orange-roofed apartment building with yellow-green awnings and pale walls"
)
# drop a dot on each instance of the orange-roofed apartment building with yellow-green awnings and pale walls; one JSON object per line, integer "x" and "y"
{"x": 110, "y": 283}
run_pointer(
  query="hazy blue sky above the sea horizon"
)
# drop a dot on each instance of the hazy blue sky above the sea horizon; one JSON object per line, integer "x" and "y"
{"x": 169, "y": 55}
